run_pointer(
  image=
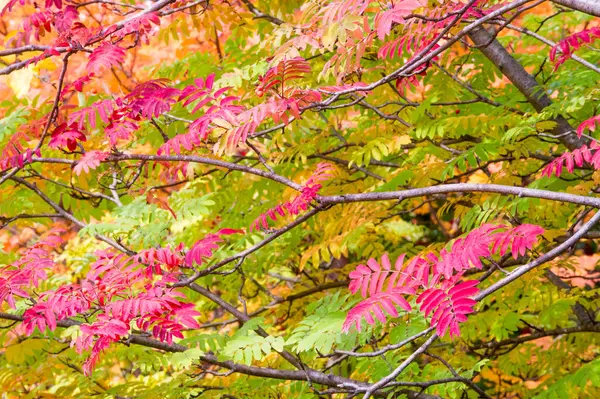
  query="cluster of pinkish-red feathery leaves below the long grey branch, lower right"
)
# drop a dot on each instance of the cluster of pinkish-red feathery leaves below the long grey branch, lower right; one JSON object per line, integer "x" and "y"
{"x": 447, "y": 301}
